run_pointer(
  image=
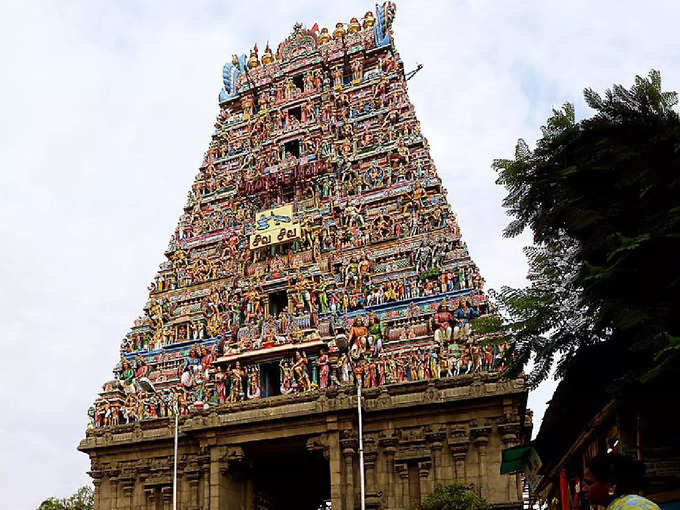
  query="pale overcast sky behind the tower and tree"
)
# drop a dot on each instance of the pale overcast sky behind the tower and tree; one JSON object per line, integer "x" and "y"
{"x": 107, "y": 108}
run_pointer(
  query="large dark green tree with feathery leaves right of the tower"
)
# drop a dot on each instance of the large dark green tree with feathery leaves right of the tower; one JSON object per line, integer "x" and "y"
{"x": 602, "y": 199}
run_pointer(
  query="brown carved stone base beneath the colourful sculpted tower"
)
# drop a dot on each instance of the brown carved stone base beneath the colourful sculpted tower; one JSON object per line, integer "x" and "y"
{"x": 301, "y": 451}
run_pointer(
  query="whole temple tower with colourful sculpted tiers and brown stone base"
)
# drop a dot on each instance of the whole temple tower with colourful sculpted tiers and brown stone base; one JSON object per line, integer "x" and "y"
{"x": 316, "y": 252}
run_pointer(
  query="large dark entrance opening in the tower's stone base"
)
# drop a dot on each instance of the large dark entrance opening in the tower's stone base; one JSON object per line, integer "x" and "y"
{"x": 279, "y": 467}
